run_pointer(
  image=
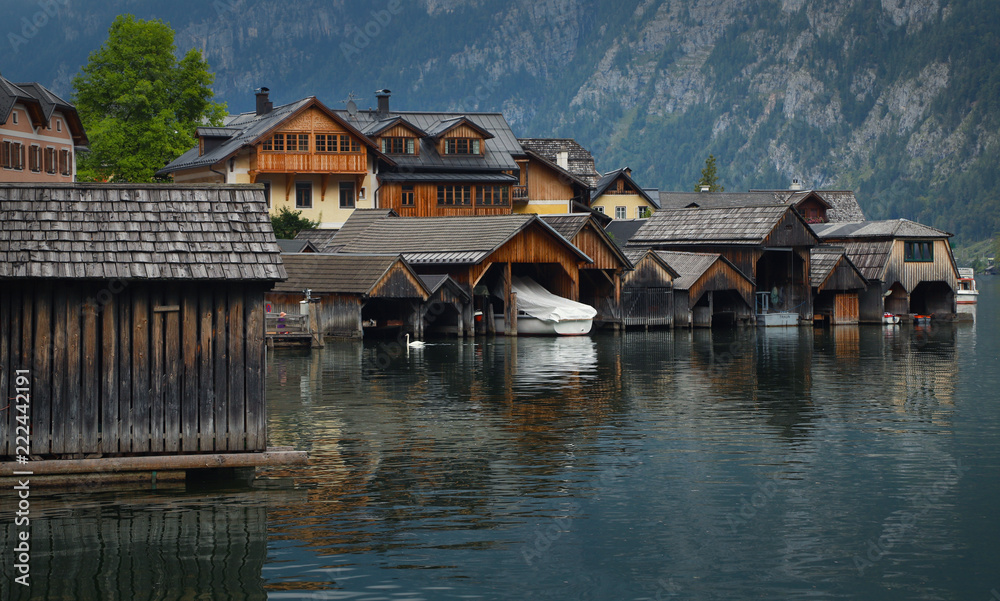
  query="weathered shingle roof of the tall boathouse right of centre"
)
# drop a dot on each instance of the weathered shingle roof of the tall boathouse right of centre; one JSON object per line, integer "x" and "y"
{"x": 724, "y": 226}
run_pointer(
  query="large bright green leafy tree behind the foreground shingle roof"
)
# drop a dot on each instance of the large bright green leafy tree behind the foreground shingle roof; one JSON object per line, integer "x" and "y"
{"x": 139, "y": 104}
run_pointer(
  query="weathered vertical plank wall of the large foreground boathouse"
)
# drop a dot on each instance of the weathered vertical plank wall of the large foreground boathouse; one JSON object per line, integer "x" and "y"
{"x": 135, "y": 368}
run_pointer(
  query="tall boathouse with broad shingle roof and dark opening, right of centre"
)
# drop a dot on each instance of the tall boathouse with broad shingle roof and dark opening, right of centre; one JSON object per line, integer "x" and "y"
{"x": 769, "y": 244}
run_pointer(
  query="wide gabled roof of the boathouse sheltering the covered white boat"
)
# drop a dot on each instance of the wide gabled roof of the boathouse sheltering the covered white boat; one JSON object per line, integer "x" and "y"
{"x": 446, "y": 240}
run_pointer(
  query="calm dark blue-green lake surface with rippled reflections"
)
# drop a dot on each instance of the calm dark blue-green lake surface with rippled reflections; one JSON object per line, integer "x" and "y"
{"x": 854, "y": 463}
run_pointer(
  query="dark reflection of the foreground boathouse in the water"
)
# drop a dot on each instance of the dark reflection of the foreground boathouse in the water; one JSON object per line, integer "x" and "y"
{"x": 152, "y": 548}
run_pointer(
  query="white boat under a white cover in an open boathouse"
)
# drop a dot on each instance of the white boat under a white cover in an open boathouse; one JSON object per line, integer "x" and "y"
{"x": 539, "y": 312}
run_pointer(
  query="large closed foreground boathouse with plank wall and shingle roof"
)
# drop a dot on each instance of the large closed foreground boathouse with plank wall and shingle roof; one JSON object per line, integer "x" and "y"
{"x": 137, "y": 310}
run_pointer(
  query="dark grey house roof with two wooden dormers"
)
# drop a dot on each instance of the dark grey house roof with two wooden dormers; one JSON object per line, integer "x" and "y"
{"x": 499, "y": 148}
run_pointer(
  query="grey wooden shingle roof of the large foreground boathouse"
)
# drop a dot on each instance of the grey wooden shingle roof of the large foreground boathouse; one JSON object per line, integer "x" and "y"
{"x": 137, "y": 232}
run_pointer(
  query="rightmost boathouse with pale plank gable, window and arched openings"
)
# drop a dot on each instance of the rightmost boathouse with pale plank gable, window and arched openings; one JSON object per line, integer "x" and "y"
{"x": 909, "y": 267}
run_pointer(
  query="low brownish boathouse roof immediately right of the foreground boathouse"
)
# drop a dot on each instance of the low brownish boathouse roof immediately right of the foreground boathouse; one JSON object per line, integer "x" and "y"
{"x": 346, "y": 274}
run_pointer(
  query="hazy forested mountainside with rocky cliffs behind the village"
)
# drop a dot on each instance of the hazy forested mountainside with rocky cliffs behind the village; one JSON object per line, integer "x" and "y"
{"x": 896, "y": 99}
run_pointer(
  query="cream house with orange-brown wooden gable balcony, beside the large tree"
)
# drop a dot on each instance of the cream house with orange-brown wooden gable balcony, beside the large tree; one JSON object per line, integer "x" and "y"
{"x": 308, "y": 158}
